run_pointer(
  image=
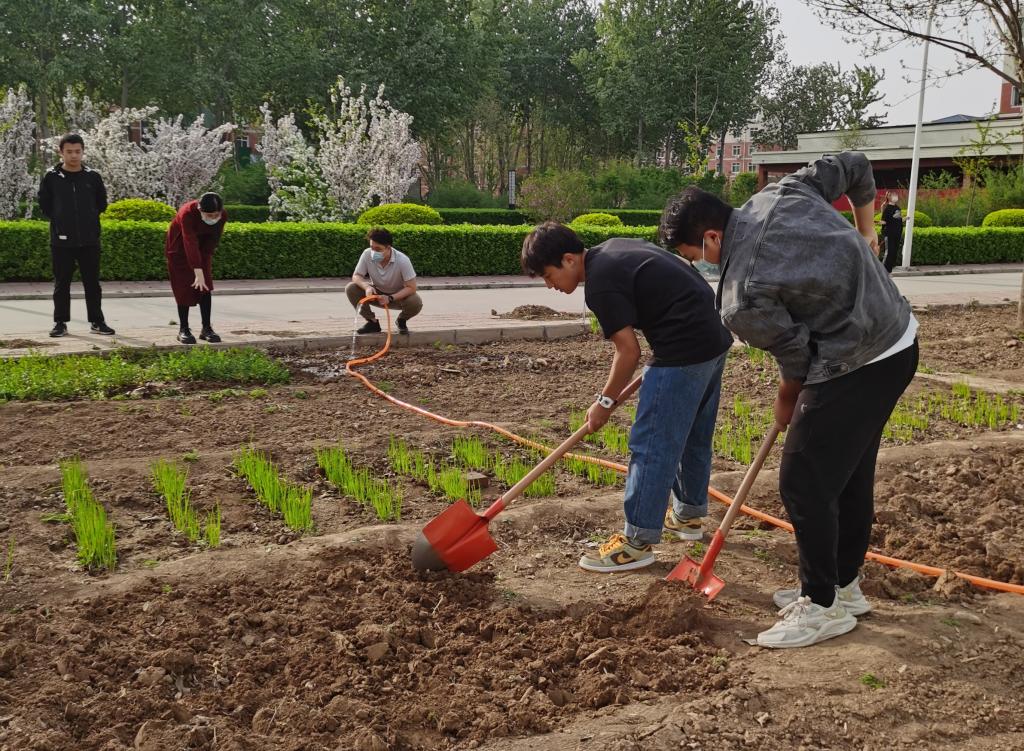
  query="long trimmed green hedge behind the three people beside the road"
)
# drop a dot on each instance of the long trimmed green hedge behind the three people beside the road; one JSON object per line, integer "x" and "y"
{"x": 135, "y": 251}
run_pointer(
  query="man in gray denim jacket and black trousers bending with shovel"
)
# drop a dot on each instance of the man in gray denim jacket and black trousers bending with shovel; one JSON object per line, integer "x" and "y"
{"x": 800, "y": 282}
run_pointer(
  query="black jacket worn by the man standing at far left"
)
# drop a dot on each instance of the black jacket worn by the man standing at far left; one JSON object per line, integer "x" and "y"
{"x": 73, "y": 203}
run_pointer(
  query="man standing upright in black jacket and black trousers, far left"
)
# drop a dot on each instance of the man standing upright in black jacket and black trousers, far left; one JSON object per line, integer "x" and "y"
{"x": 73, "y": 197}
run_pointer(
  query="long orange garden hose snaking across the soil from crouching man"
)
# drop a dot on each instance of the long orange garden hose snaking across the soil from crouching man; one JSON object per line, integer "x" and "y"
{"x": 718, "y": 496}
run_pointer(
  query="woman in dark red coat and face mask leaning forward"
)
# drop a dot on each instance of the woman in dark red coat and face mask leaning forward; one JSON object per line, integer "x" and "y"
{"x": 192, "y": 238}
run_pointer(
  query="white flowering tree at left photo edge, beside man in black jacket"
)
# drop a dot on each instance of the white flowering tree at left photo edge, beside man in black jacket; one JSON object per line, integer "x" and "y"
{"x": 18, "y": 122}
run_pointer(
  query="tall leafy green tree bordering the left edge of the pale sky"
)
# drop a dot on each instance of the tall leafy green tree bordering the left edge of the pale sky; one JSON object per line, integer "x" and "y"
{"x": 700, "y": 62}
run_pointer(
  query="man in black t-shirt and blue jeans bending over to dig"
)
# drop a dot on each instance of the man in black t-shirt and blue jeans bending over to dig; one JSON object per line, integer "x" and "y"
{"x": 630, "y": 285}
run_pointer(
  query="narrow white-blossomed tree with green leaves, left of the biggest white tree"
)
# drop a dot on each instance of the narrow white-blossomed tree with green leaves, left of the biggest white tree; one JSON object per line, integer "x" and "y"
{"x": 298, "y": 191}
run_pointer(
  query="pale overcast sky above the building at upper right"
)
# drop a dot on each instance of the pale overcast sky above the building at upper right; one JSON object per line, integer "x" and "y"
{"x": 810, "y": 41}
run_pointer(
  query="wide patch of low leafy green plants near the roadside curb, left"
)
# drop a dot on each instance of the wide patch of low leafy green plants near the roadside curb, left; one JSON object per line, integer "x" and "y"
{"x": 91, "y": 377}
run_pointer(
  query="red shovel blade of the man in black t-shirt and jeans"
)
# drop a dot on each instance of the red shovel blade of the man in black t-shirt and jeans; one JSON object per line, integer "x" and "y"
{"x": 456, "y": 539}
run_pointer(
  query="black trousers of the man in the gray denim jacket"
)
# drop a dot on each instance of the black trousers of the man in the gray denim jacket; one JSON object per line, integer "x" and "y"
{"x": 827, "y": 479}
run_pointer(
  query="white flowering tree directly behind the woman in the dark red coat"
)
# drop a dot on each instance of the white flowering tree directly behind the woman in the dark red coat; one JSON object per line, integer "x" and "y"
{"x": 186, "y": 160}
